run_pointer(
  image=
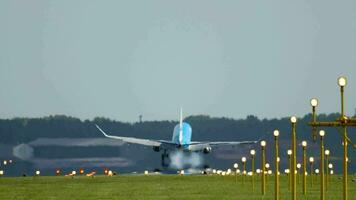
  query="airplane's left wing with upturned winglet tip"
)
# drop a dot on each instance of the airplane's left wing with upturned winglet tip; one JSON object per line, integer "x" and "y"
{"x": 133, "y": 140}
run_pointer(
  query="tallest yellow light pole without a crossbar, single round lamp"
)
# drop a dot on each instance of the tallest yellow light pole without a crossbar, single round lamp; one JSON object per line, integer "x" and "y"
{"x": 293, "y": 121}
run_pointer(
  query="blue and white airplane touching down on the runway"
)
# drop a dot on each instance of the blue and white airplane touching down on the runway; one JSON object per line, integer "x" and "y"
{"x": 181, "y": 141}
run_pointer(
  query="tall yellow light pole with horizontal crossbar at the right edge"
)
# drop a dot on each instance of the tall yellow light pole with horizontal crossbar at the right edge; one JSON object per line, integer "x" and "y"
{"x": 341, "y": 124}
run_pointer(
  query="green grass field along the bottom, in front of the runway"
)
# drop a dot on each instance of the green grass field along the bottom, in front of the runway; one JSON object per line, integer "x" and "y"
{"x": 158, "y": 187}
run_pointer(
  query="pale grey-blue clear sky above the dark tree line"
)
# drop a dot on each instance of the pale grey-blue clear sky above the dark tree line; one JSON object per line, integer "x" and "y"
{"x": 122, "y": 59}
